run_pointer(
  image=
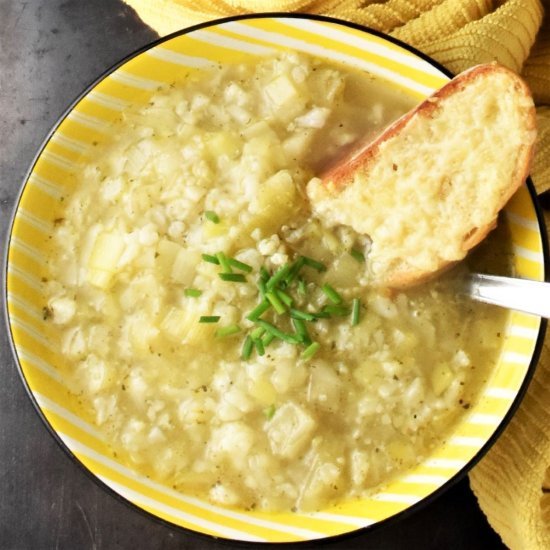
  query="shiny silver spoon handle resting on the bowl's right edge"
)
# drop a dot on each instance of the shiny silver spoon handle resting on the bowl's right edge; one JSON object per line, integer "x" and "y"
{"x": 520, "y": 294}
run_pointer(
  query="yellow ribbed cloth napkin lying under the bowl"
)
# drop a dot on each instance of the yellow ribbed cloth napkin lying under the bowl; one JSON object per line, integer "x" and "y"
{"x": 512, "y": 481}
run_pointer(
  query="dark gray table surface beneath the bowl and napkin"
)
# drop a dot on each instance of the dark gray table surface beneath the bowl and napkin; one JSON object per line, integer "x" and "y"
{"x": 50, "y": 50}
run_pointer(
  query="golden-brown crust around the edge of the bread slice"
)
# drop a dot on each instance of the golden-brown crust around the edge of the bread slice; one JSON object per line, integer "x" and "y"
{"x": 364, "y": 159}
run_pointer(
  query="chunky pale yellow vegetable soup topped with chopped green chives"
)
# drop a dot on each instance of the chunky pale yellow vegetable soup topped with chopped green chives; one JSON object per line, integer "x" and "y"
{"x": 224, "y": 340}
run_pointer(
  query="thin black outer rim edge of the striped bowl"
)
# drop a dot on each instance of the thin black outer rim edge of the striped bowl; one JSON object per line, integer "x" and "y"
{"x": 243, "y": 543}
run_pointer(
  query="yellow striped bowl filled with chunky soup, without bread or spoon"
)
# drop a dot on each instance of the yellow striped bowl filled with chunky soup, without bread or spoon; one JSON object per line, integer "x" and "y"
{"x": 207, "y": 347}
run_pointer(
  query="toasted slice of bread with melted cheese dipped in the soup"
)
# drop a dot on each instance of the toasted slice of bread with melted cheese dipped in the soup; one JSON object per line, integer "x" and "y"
{"x": 430, "y": 187}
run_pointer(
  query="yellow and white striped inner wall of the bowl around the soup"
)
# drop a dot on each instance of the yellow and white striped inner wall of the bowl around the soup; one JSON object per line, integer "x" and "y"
{"x": 88, "y": 121}
